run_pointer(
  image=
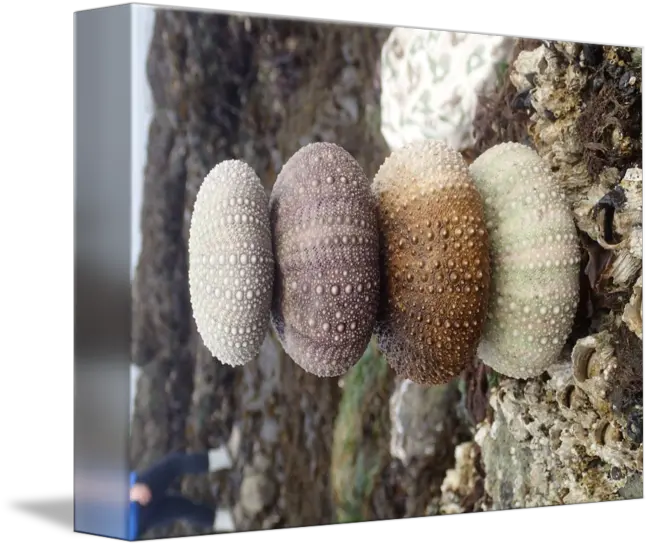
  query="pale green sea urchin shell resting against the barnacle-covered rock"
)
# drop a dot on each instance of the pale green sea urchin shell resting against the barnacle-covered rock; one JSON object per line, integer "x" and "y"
{"x": 535, "y": 261}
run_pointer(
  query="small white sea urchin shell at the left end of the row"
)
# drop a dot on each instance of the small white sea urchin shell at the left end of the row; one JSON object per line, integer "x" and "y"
{"x": 231, "y": 264}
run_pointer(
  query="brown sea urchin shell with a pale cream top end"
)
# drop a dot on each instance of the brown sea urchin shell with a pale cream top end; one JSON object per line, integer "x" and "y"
{"x": 435, "y": 262}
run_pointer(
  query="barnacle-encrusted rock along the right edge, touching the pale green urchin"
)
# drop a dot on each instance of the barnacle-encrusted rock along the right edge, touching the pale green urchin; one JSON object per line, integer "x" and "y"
{"x": 574, "y": 434}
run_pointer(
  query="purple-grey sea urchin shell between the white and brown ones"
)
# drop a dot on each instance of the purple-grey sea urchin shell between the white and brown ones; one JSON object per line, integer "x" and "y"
{"x": 326, "y": 245}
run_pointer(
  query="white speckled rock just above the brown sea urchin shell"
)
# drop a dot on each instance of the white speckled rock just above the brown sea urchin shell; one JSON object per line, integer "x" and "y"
{"x": 431, "y": 80}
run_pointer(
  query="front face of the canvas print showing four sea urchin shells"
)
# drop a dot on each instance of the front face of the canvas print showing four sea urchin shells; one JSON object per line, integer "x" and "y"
{"x": 380, "y": 272}
